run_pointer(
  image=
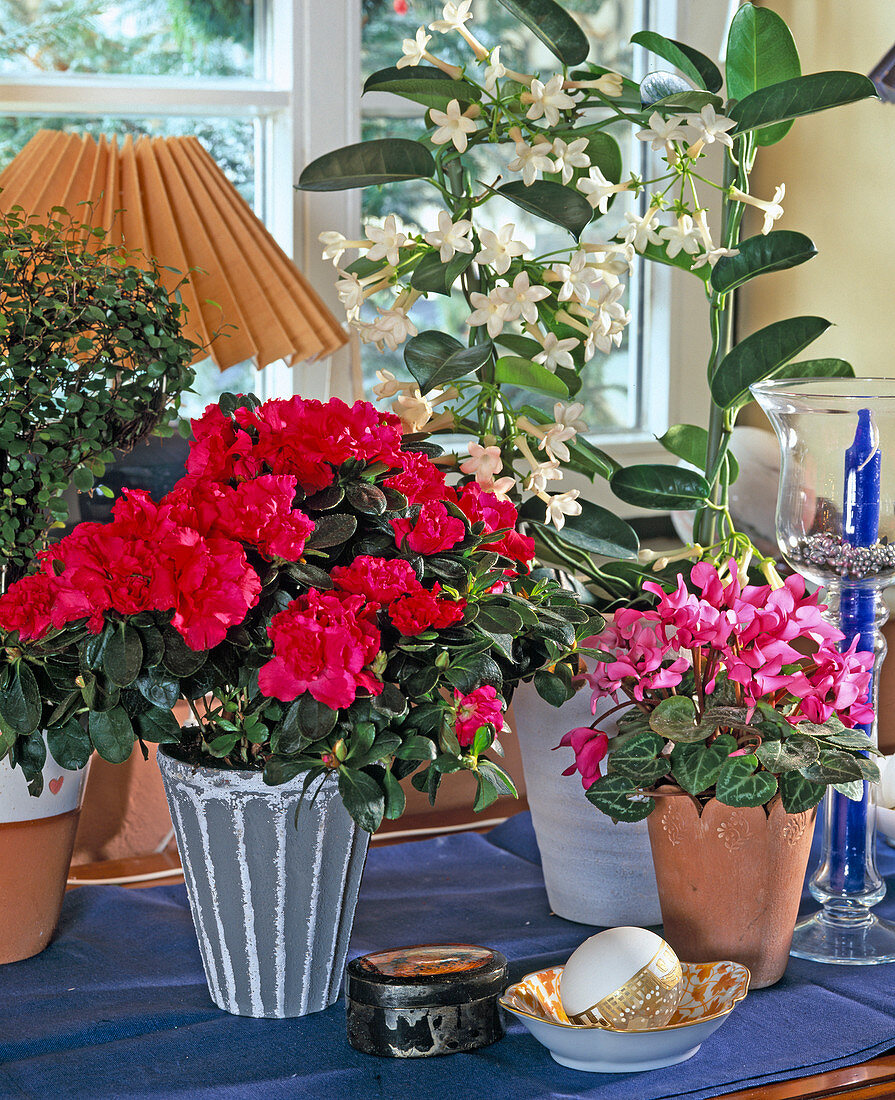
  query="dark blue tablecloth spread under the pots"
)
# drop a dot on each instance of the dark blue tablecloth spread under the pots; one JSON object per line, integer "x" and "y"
{"x": 118, "y": 1007}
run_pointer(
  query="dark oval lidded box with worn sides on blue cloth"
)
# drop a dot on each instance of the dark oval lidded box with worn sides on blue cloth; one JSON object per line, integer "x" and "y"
{"x": 413, "y": 1003}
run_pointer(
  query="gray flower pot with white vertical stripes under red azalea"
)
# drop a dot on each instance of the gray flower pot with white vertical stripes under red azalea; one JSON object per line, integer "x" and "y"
{"x": 273, "y": 882}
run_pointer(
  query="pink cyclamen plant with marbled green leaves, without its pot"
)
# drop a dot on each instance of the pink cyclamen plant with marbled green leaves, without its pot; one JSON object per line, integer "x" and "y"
{"x": 726, "y": 691}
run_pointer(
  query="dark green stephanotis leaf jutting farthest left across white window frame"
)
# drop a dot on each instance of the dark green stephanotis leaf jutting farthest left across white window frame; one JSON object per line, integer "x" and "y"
{"x": 369, "y": 163}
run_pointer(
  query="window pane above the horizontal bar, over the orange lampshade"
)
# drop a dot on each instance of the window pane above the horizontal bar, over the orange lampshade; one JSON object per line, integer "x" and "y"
{"x": 158, "y": 38}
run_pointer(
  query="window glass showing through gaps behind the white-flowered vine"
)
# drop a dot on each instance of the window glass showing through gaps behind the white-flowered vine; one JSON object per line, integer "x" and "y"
{"x": 611, "y": 383}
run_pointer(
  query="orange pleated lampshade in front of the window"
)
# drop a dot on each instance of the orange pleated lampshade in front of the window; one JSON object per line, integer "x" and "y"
{"x": 167, "y": 197}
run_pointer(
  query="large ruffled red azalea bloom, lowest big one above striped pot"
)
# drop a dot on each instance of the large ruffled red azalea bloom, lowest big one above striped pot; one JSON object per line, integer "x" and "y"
{"x": 325, "y": 644}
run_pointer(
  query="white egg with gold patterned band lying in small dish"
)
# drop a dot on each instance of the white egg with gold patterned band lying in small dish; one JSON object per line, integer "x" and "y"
{"x": 604, "y": 964}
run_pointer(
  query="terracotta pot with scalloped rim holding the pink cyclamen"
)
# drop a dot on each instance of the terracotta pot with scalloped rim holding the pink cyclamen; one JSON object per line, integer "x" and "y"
{"x": 731, "y": 882}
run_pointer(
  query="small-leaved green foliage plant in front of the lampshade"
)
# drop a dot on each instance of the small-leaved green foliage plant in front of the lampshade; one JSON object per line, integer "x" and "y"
{"x": 93, "y": 359}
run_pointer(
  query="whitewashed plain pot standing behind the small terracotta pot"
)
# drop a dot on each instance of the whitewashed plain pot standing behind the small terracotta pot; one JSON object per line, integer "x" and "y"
{"x": 595, "y": 872}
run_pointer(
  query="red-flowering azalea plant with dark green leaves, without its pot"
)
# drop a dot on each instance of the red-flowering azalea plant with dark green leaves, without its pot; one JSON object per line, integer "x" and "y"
{"x": 317, "y": 592}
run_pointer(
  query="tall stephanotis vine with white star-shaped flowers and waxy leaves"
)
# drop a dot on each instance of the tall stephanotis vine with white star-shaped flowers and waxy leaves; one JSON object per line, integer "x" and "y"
{"x": 537, "y": 322}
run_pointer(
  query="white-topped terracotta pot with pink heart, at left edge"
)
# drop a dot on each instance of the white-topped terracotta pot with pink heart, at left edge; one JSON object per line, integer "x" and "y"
{"x": 37, "y": 841}
